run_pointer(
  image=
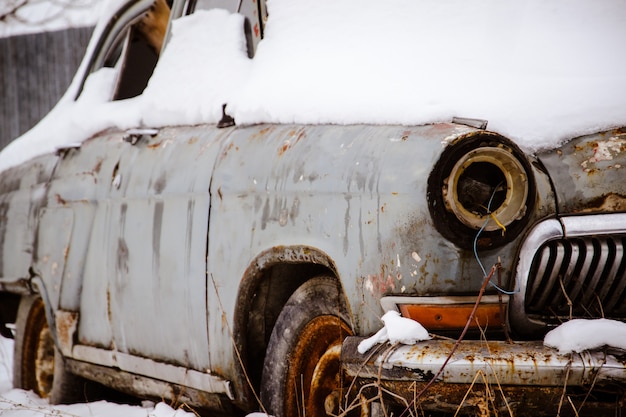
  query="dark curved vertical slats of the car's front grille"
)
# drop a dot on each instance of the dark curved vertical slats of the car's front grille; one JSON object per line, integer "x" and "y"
{"x": 579, "y": 277}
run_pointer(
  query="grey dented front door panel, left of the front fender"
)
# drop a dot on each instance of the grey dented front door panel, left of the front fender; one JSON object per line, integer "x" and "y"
{"x": 145, "y": 270}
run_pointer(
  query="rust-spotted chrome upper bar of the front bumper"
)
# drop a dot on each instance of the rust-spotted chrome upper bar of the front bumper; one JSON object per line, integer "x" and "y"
{"x": 519, "y": 363}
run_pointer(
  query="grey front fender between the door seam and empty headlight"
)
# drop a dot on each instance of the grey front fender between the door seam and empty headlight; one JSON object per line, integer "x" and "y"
{"x": 351, "y": 192}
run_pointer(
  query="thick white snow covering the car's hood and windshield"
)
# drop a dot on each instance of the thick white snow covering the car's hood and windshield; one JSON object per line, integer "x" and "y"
{"x": 540, "y": 72}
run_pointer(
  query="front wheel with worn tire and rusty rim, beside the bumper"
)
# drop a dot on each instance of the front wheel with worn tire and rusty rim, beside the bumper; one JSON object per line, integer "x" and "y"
{"x": 306, "y": 341}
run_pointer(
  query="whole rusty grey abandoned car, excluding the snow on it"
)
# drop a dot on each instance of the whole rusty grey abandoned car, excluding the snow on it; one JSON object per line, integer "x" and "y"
{"x": 236, "y": 268}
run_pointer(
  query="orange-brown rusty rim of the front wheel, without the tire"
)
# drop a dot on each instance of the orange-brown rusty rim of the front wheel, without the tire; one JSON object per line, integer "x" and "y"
{"x": 314, "y": 375}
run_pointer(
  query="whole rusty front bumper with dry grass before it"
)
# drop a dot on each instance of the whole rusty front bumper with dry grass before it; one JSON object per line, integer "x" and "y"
{"x": 525, "y": 377}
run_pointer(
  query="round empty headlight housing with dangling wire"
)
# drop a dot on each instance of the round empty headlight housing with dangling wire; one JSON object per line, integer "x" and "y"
{"x": 481, "y": 190}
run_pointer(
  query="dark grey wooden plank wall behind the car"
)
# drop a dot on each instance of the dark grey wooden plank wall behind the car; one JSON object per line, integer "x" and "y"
{"x": 35, "y": 71}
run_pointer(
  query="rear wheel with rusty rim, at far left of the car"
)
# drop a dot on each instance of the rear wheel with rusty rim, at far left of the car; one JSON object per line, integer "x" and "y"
{"x": 37, "y": 363}
